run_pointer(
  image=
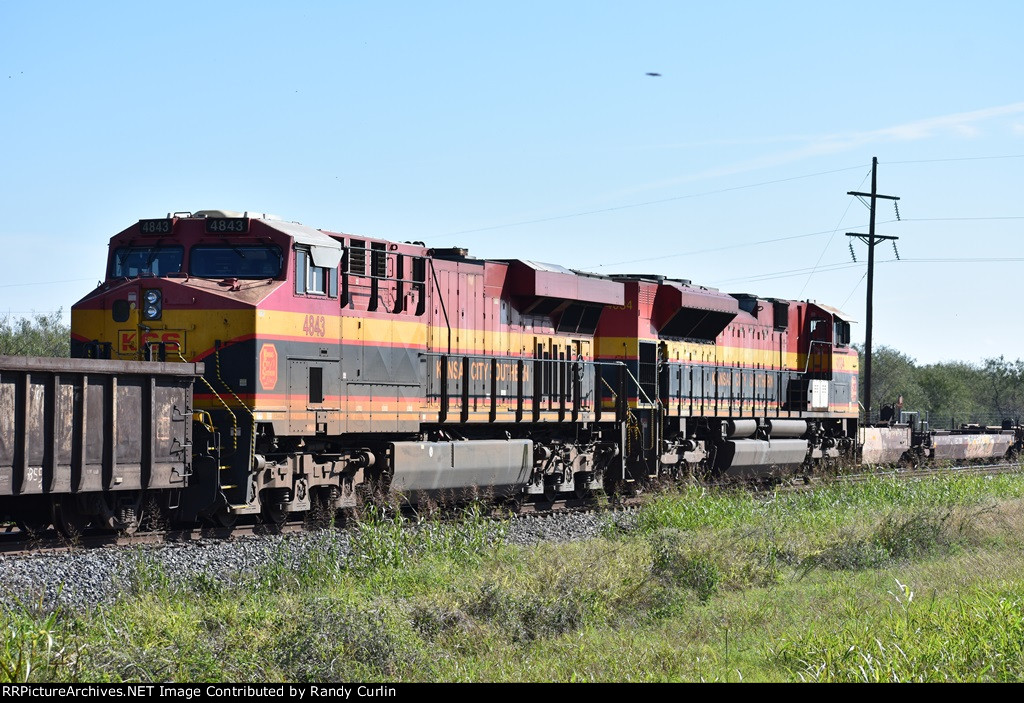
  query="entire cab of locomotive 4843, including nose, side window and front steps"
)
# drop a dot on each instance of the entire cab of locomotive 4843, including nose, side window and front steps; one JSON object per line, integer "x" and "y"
{"x": 255, "y": 298}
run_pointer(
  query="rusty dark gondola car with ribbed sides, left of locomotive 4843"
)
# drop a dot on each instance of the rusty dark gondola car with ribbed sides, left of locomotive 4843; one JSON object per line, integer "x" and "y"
{"x": 83, "y": 442}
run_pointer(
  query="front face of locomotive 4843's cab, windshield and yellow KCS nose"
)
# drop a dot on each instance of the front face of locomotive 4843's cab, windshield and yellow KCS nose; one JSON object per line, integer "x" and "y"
{"x": 162, "y": 273}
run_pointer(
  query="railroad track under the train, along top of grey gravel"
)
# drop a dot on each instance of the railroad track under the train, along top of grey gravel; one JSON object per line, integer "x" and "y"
{"x": 15, "y": 543}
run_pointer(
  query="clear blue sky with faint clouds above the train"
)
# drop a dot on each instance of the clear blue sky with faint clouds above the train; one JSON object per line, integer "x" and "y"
{"x": 531, "y": 130}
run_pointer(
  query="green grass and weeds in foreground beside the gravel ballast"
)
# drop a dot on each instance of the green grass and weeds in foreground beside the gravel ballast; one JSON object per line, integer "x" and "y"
{"x": 884, "y": 581}
